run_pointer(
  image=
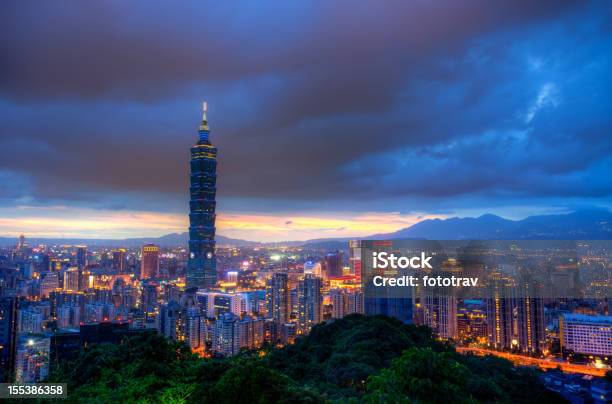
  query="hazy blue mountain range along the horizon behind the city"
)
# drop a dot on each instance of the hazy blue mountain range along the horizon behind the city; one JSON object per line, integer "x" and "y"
{"x": 583, "y": 224}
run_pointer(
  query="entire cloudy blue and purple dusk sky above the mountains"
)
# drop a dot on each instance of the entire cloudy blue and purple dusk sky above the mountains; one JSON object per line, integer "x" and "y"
{"x": 332, "y": 118}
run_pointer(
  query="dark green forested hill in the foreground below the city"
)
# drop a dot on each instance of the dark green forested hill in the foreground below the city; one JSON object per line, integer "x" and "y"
{"x": 358, "y": 358}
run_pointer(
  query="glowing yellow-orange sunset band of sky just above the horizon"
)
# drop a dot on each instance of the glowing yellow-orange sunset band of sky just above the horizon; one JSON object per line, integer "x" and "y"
{"x": 63, "y": 222}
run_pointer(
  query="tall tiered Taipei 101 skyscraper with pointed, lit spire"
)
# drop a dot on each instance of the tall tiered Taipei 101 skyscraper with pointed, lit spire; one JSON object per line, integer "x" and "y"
{"x": 202, "y": 267}
